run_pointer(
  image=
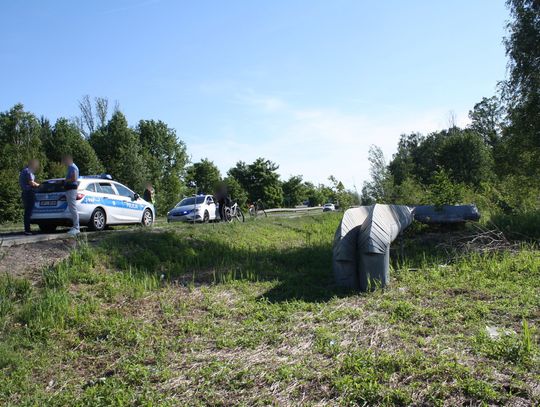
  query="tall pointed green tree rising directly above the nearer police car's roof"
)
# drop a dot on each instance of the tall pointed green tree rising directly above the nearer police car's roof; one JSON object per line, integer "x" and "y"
{"x": 119, "y": 149}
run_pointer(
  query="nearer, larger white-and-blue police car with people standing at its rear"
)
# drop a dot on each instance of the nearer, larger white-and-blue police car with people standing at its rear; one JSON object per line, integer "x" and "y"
{"x": 100, "y": 202}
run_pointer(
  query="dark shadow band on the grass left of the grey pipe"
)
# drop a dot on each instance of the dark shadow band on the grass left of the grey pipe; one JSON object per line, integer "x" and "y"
{"x": 302, "y": 272}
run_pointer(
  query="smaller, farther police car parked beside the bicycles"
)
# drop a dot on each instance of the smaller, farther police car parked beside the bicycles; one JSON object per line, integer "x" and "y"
{"x": 200, "y": 208}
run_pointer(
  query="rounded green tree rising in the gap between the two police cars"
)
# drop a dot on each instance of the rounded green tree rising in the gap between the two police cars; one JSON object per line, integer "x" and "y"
{"x": 165, "y": 157}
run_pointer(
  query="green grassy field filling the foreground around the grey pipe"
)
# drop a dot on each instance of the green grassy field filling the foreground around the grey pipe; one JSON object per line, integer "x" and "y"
{"x": 247, "y": 314}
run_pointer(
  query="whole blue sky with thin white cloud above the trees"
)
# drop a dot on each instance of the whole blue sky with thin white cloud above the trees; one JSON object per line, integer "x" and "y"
{"x": 307, "y": 84}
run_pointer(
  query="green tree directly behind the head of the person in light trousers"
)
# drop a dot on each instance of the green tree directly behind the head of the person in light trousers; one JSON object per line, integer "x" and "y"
{"x": 65, "y": 138}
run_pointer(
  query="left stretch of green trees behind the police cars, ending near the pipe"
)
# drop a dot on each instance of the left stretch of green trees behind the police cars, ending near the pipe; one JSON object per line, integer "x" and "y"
{"x": 102, "y": 141}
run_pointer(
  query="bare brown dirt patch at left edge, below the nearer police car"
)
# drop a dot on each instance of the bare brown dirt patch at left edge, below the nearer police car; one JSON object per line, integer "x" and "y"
{"x": 28, "y": 260}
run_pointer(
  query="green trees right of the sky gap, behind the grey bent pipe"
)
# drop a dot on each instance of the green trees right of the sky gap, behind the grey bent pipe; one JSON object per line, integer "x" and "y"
{"x": 495, "y": 161}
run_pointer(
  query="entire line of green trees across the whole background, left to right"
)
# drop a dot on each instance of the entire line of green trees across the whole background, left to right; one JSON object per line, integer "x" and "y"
{"x": 494, "y": 162}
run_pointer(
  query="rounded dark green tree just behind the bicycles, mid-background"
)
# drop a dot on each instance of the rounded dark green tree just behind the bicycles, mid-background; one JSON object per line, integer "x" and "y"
{"x": 260, "y": 180}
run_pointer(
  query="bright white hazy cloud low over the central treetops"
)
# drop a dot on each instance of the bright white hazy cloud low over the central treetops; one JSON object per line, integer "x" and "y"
{"x": 316, "y": 142}
